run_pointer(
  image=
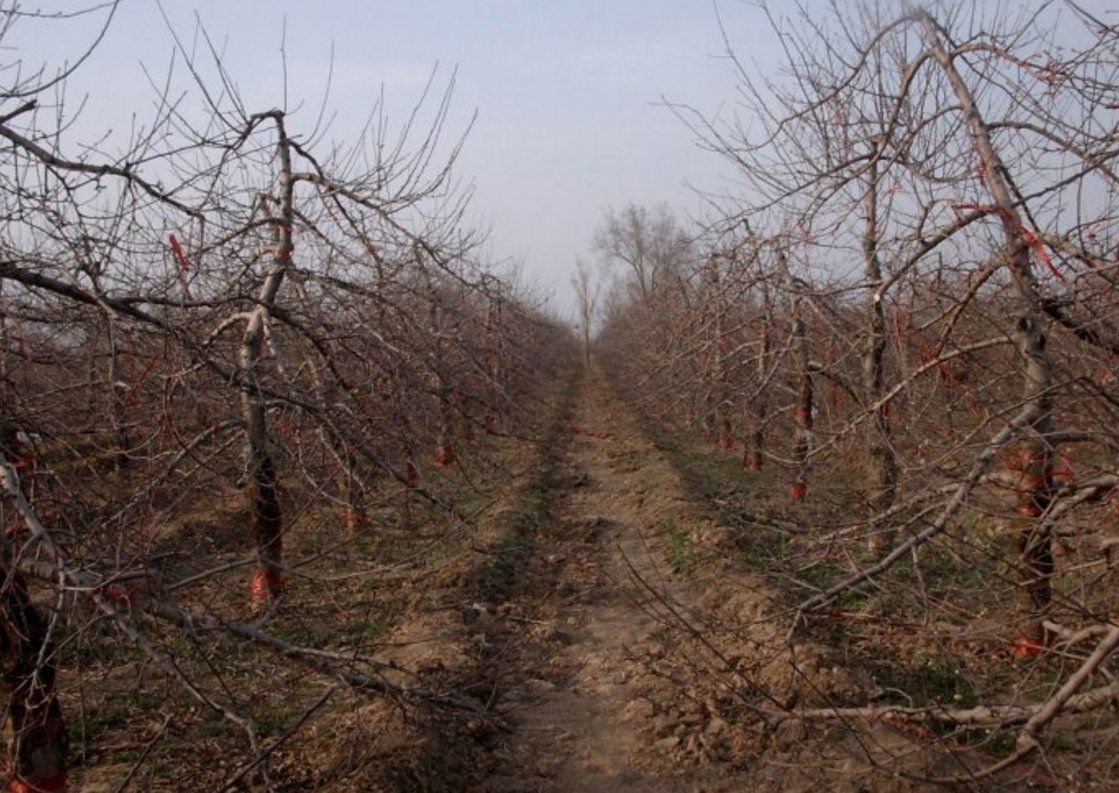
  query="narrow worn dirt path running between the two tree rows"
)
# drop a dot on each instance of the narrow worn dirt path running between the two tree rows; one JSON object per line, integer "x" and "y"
{"x": 590, "y": 619}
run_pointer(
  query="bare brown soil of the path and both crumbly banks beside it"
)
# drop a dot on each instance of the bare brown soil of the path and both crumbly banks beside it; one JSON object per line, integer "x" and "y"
{"x": 610, "y": 627}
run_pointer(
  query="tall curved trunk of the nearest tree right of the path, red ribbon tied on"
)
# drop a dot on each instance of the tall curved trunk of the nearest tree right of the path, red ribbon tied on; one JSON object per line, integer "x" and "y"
{"x": 1033, "y": 543}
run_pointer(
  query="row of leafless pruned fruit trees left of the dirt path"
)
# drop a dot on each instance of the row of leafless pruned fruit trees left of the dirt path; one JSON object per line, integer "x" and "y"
{"x": 224, "y": 301}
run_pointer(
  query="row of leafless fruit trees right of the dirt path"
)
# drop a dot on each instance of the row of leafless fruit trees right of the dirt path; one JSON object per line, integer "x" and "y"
{"x": 920, "y": 278}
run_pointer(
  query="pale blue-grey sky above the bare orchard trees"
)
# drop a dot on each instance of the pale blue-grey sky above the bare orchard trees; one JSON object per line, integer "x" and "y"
{"x": 569, "y": 95}
